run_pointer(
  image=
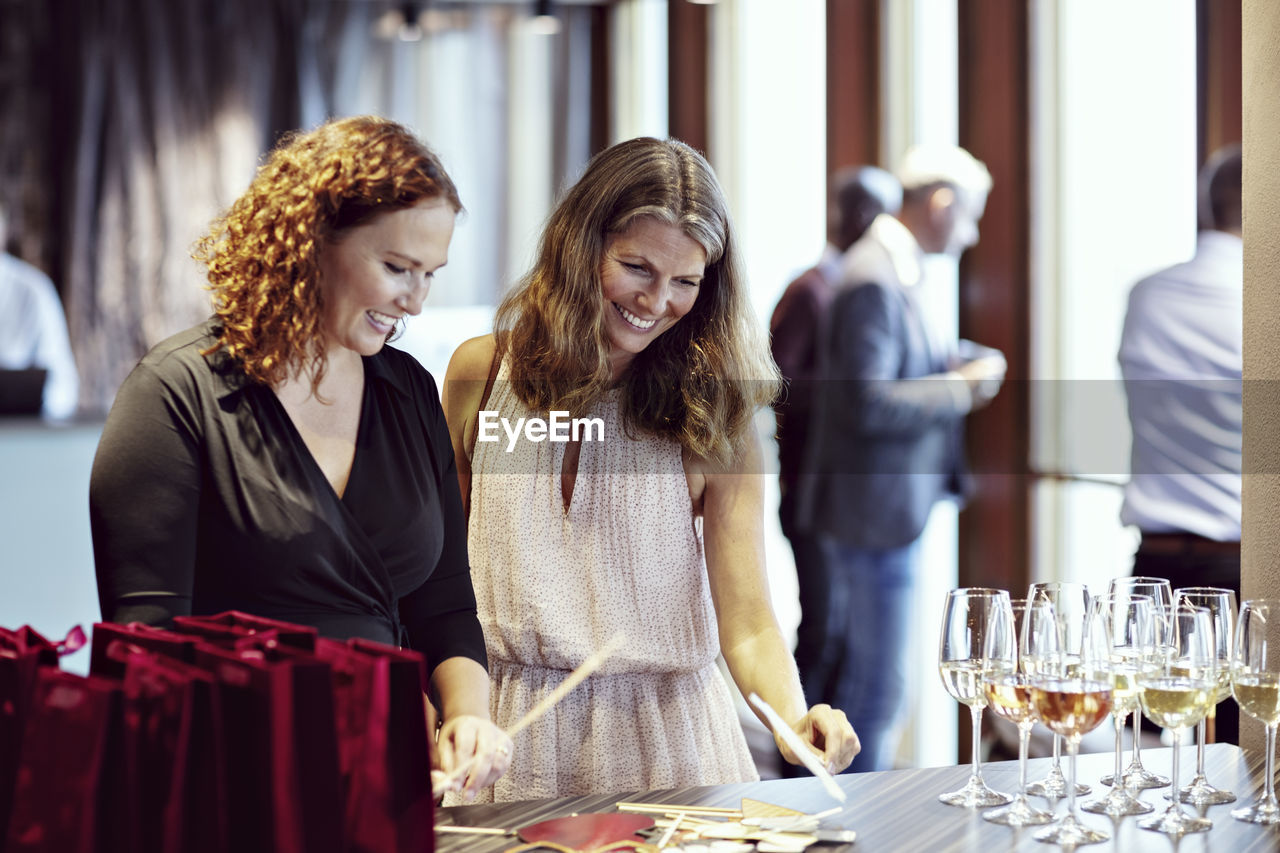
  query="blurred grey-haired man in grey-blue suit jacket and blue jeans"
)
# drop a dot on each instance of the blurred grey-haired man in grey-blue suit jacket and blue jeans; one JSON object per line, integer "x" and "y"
{"x": 888, "y": 440}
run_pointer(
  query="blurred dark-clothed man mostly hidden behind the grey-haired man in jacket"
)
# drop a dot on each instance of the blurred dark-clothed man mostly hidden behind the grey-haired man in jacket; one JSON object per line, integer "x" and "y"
{"x": 858, "y": 195}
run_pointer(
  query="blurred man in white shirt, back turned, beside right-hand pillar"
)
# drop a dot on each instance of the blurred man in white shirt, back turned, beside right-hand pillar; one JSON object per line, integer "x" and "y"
{"x": 1181, "y": 357}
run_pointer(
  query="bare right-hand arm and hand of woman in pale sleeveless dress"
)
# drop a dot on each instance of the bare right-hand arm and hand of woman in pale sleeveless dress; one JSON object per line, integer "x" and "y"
{"x": 751, "y": 640}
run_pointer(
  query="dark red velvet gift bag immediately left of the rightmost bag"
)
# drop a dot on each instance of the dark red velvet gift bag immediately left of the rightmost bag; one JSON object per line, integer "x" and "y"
{"x": 285, "y": 793}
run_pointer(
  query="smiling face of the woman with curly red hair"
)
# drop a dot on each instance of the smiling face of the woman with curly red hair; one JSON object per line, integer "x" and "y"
{"x": 376, "y": 273}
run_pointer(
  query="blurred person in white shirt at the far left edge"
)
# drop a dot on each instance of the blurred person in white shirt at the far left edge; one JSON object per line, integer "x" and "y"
{"x": 34, "y": 330}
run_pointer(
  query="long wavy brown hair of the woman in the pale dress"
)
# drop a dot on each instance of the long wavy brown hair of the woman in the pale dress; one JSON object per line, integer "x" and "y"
{"x": 702, "y": 381}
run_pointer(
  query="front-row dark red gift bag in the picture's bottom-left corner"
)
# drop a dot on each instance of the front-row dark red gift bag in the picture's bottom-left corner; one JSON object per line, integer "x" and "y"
{"x": 70, "y": 791}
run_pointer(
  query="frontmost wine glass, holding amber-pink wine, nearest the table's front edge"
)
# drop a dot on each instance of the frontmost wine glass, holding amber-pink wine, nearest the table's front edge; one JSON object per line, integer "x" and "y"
{"x": 1072, "y": 695}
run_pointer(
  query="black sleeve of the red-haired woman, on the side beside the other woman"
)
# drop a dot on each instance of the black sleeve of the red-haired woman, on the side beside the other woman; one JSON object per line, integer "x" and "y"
{"x": 441, "y": 615}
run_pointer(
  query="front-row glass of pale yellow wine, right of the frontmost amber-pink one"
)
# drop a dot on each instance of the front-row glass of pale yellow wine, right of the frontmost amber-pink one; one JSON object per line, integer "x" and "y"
{"x": 1178, "y": 694}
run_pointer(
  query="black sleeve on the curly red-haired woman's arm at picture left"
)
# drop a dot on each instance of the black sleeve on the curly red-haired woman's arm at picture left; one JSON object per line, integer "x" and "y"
{"x": 145, "y": 500}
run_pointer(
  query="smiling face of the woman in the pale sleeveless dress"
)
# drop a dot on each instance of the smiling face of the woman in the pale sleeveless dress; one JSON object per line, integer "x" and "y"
{"x": 651, "y": 276}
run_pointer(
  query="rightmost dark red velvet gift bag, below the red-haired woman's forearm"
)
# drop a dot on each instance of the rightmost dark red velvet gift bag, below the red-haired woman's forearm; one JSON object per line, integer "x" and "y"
{"x": 383, "y": 746}
